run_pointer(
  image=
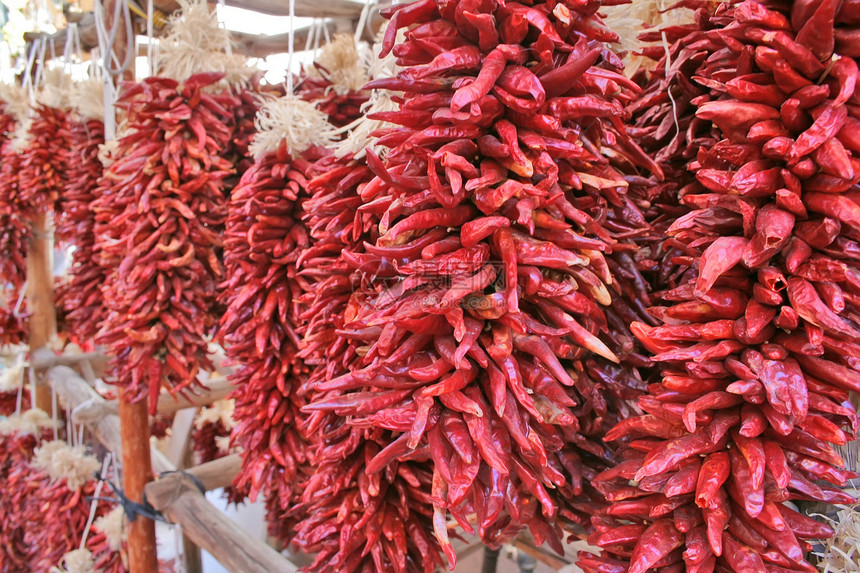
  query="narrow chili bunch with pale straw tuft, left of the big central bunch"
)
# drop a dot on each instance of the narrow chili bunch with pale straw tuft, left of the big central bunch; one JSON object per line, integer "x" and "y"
{"x": 263, "y": 241}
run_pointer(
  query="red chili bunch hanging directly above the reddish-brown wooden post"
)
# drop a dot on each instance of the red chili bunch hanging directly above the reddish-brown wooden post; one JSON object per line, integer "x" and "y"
{"x": 168, "y": 178}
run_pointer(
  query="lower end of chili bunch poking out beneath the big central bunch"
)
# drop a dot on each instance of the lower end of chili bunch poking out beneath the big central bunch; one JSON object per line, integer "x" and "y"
{"x": 359, "y": 522}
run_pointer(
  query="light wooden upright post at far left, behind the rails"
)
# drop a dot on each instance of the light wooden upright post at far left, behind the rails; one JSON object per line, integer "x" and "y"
{"x": 40, "y": 297}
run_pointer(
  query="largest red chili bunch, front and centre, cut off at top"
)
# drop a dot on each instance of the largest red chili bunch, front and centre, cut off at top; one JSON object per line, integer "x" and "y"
{"x": 486, "y": 274}
